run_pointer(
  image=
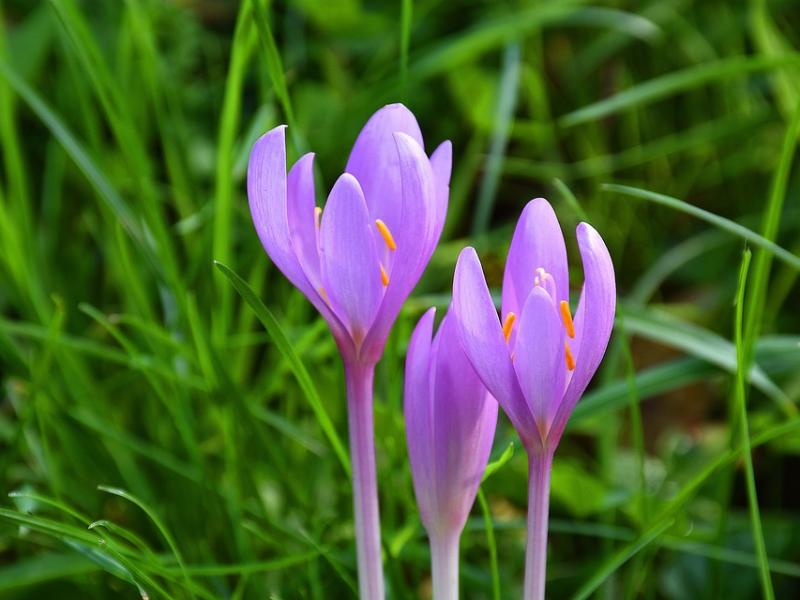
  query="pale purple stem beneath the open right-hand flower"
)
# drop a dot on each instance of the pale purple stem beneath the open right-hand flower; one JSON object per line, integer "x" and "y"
{"x": 539, "y": 466}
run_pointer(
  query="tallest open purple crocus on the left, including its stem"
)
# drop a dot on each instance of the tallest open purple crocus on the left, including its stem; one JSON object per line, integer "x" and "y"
{"x": 356, "y": 261}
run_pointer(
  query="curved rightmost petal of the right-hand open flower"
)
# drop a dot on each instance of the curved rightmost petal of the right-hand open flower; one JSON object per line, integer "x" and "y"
{"x": 594, "y": 319}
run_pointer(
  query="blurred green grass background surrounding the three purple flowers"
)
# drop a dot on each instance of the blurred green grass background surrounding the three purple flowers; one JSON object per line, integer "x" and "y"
{"x": 128, "y": 361}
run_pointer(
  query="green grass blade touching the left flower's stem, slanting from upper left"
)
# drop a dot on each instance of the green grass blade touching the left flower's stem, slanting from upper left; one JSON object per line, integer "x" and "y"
{"x": 280, "y": 339}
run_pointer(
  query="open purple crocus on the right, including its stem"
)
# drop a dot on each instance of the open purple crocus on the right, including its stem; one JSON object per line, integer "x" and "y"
{"x": 537, "y": 362}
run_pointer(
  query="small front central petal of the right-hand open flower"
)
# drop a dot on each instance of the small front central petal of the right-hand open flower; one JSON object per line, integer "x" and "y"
{"x": 539, "y": 357}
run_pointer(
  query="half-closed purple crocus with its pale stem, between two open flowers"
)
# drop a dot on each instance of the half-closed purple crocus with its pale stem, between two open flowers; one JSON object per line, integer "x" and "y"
{"x": 450, "y": 423}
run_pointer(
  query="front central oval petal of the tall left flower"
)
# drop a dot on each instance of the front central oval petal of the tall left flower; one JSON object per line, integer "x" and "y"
{"x": 349, "y": 262}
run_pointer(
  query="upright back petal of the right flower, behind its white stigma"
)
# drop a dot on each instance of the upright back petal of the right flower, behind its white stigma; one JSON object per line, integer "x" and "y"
{"x": 537, "y": 242}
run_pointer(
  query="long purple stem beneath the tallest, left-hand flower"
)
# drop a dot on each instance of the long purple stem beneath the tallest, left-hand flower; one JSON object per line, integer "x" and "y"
{"x": 365, "y": 484}
